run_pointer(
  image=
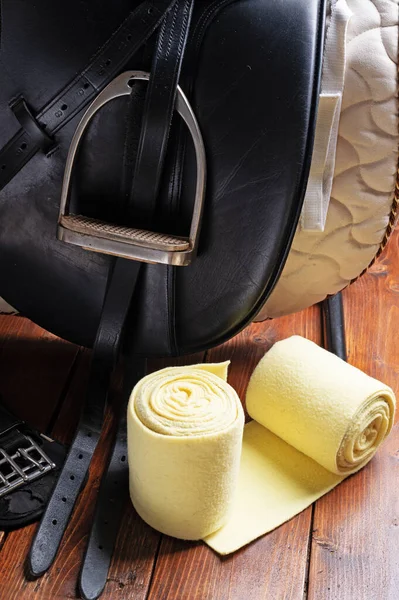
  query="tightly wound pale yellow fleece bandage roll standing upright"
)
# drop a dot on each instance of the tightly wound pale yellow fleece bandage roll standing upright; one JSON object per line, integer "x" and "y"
{"x": 185, "y": 427}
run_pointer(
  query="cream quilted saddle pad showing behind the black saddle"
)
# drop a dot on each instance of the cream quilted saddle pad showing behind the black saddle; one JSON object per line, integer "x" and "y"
{"x": 322, "y": 263}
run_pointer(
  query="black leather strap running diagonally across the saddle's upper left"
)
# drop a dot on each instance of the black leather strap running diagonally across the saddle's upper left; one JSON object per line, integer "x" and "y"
{"x": 106, "y": 63}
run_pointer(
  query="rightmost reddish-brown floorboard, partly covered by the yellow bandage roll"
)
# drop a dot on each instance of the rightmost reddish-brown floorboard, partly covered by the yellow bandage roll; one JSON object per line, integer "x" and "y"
{"x": 354, "y": 553}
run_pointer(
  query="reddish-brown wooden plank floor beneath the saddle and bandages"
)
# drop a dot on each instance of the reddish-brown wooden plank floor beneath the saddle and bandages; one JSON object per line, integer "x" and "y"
{"x": 345, "y": 547}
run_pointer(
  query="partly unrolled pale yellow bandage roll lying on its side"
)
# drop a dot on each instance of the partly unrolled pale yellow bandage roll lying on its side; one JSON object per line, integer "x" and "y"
{"x": 317, "y": 420}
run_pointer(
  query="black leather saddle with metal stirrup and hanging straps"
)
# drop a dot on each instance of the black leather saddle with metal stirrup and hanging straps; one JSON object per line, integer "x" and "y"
{"x": 159, "y": 220}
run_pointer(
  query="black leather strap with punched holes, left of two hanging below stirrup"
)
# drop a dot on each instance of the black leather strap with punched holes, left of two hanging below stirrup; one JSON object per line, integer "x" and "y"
{"x": 55, "y": 519}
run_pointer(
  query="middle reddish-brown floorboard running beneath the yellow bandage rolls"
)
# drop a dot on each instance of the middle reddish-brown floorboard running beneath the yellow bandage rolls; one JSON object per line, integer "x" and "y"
{"x": 273, "y": 567}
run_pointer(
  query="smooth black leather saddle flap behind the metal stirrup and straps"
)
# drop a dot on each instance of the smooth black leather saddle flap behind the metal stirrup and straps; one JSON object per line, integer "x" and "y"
{"x": 253, "y": 86}
